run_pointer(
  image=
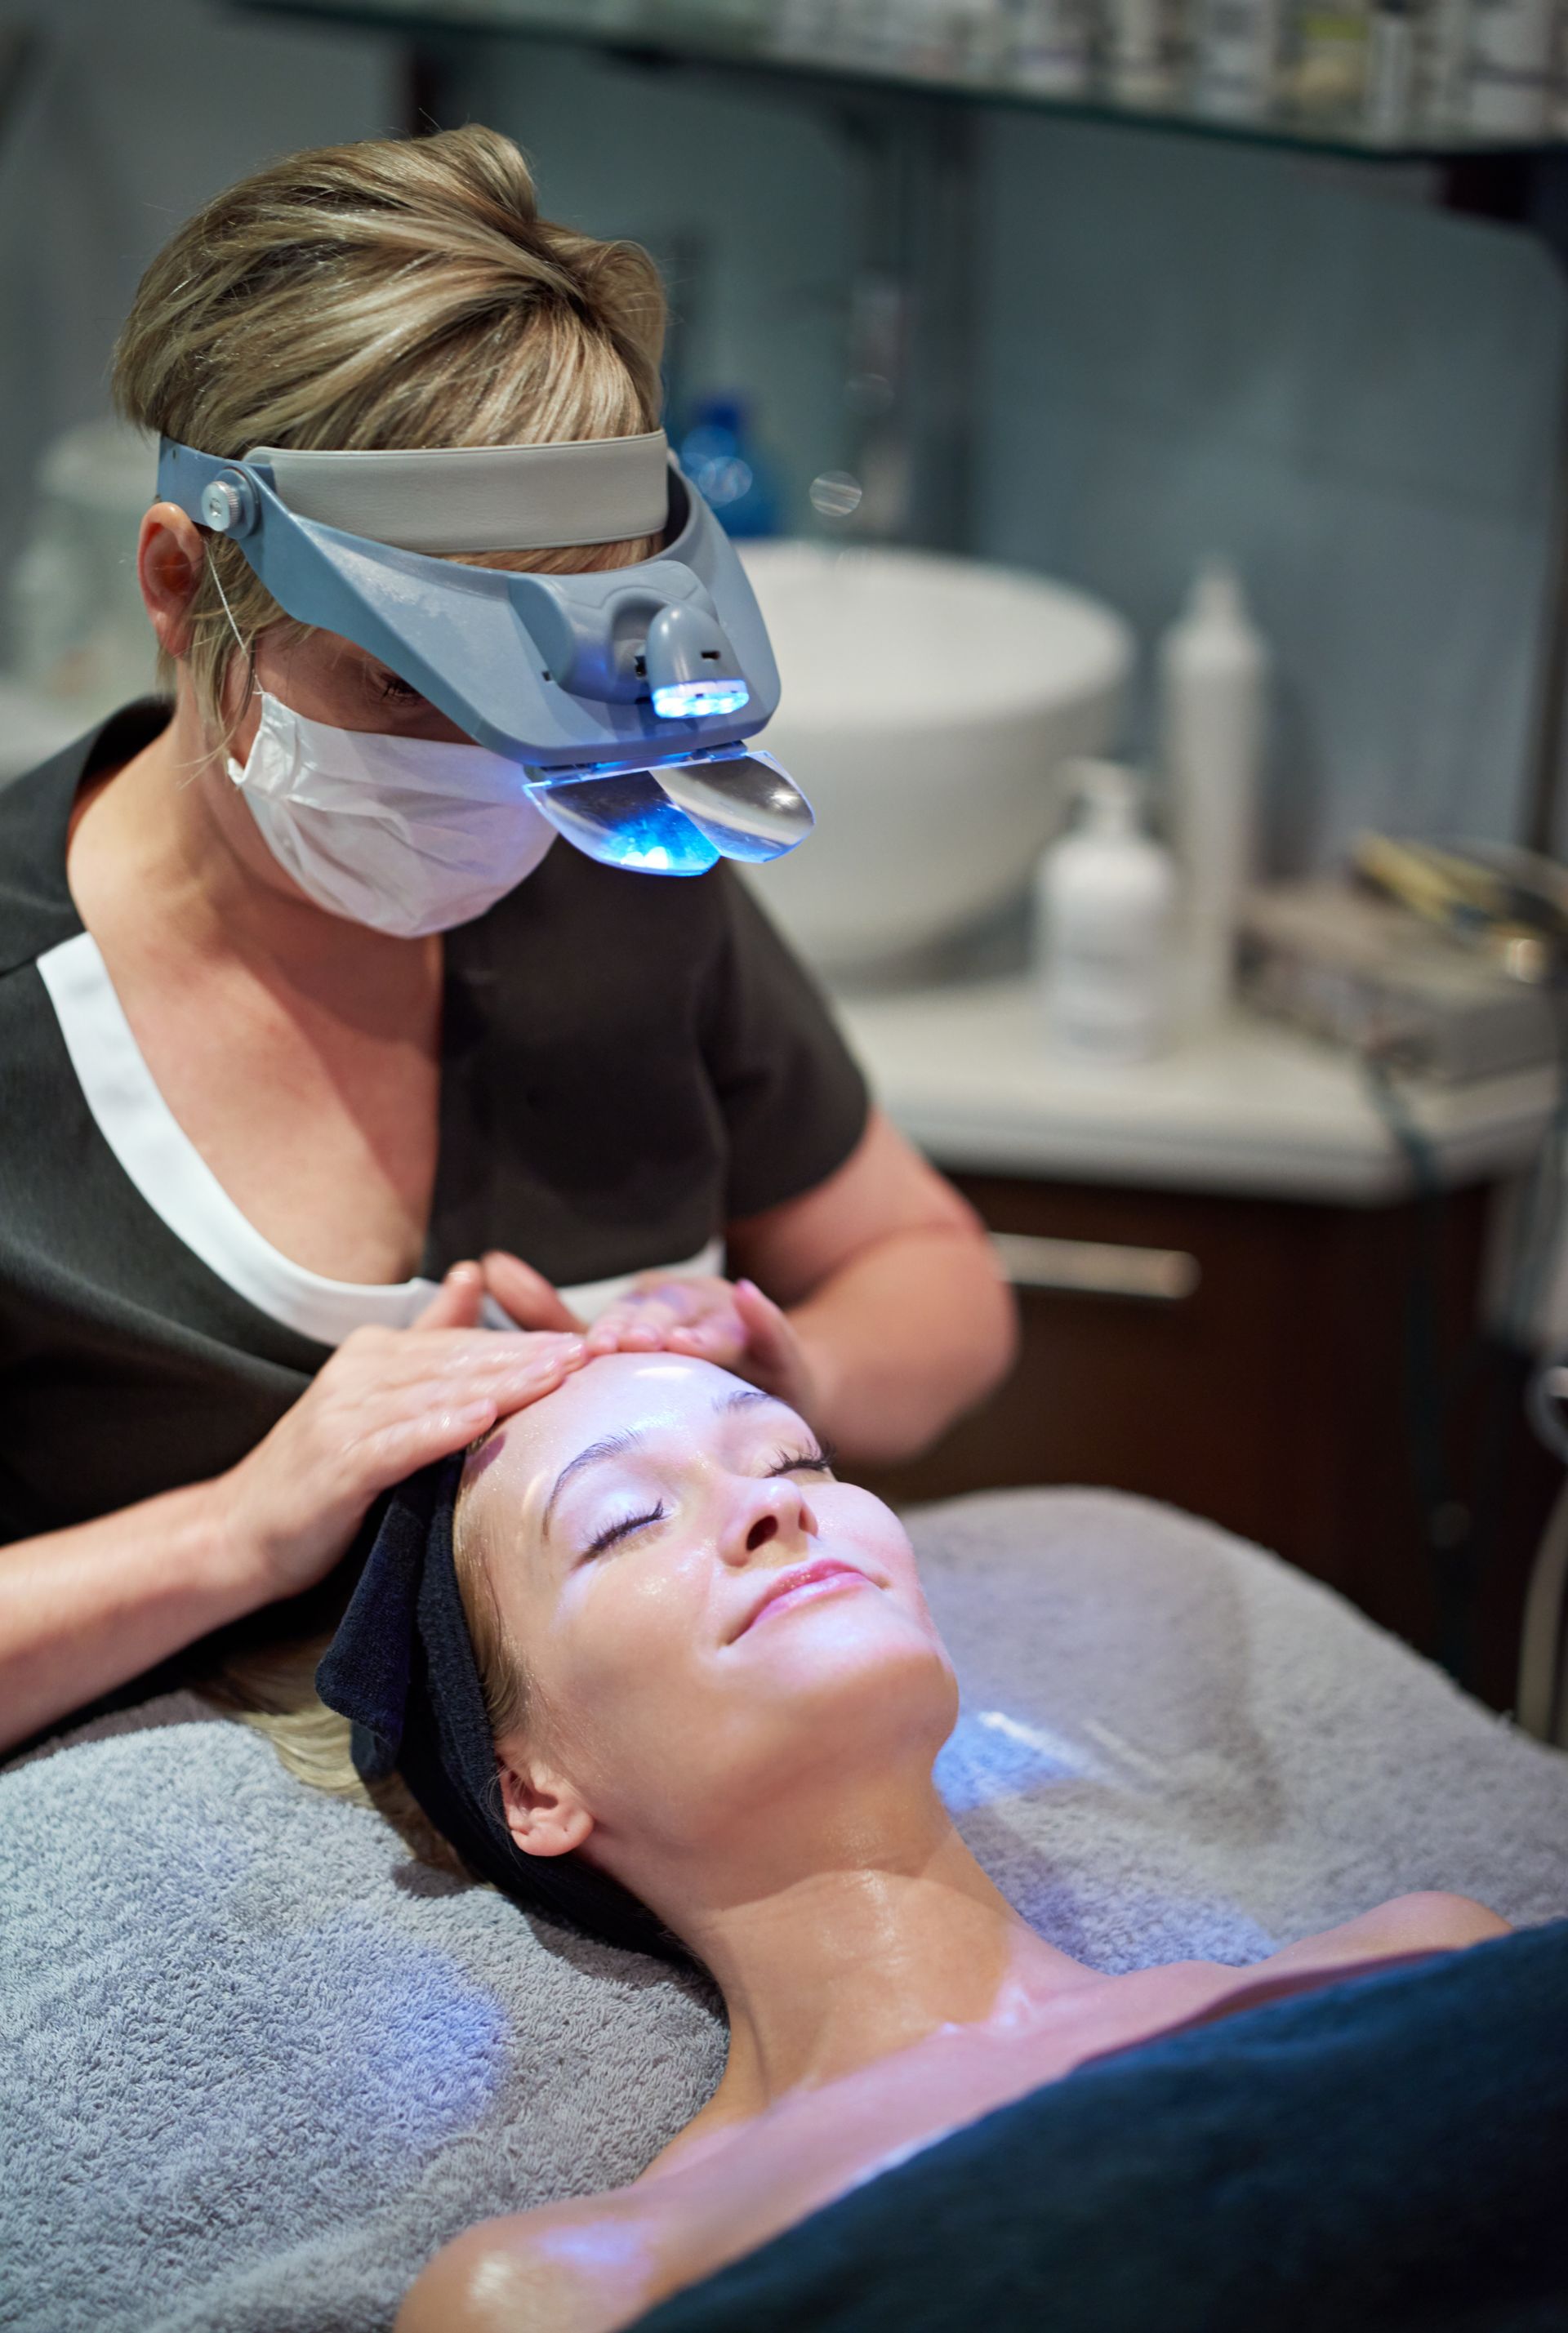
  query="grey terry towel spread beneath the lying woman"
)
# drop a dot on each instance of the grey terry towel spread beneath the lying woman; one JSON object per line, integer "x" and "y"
{"x": 255, "y": 2064}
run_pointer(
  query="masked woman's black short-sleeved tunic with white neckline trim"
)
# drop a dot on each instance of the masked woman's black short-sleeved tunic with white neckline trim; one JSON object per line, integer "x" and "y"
{"x": 629, "y": 1065}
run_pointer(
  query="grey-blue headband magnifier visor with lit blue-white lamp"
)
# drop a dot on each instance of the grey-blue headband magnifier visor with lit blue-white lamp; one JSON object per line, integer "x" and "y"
{"x": 624, "y": 694}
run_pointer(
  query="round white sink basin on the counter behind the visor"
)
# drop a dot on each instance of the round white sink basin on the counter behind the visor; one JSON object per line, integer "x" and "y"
{"x": 927, "y": 703}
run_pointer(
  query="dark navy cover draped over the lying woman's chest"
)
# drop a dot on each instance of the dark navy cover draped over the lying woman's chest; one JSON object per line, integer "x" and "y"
{"x": 1382, "y": 2157}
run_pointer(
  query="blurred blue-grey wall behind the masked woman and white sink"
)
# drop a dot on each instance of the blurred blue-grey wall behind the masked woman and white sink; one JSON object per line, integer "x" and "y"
{"x": 1175, "y": 351}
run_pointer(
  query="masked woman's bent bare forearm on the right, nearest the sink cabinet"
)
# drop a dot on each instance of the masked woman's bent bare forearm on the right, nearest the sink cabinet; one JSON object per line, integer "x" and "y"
{"x": 904, "y": 1338}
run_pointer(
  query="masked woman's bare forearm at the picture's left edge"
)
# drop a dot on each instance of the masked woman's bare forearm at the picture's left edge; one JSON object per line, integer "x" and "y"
{"x": 83, "y": 1611}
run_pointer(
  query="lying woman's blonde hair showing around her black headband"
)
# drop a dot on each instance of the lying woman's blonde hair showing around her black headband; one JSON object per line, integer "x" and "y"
{"x": 274, "y": 1690}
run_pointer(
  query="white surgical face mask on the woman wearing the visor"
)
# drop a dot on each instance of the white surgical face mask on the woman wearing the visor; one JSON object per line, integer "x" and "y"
{"x": 391, "y": 832}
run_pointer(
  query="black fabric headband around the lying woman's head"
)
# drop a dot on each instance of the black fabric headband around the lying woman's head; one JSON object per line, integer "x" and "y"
{"x": 402, "y": 1672}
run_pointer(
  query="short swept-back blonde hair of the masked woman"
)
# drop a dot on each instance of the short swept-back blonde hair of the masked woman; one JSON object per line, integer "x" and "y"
{"x": 381, "y": 295}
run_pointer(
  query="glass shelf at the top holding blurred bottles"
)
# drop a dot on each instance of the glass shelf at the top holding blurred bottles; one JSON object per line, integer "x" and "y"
{"x": 759, "y": 38}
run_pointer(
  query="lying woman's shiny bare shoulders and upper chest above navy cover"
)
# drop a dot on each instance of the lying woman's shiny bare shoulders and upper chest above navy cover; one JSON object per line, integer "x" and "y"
{"x": 717, "y": 2194}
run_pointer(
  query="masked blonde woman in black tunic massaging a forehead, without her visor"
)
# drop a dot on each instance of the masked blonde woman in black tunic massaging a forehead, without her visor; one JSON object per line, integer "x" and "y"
{"x": 318, "y": 1063}
